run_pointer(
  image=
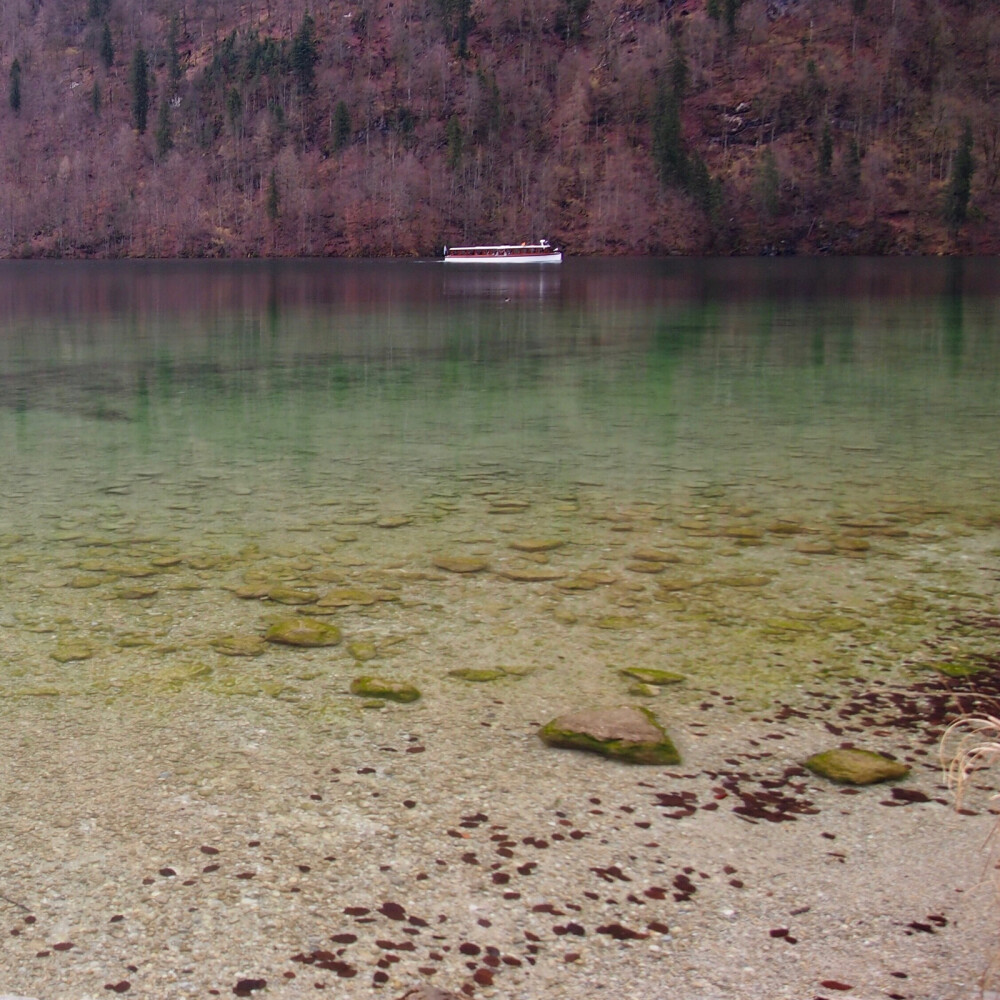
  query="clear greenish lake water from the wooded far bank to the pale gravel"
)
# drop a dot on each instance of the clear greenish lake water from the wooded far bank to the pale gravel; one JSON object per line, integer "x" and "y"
{"x": 315, "y": 424}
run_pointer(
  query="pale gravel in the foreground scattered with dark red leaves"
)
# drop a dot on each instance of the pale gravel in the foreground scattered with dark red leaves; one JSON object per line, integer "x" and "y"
{"x": 181, "y": 877}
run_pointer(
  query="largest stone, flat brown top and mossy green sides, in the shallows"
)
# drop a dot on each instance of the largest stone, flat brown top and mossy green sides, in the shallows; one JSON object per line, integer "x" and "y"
{"x": 628, "y": 733}
